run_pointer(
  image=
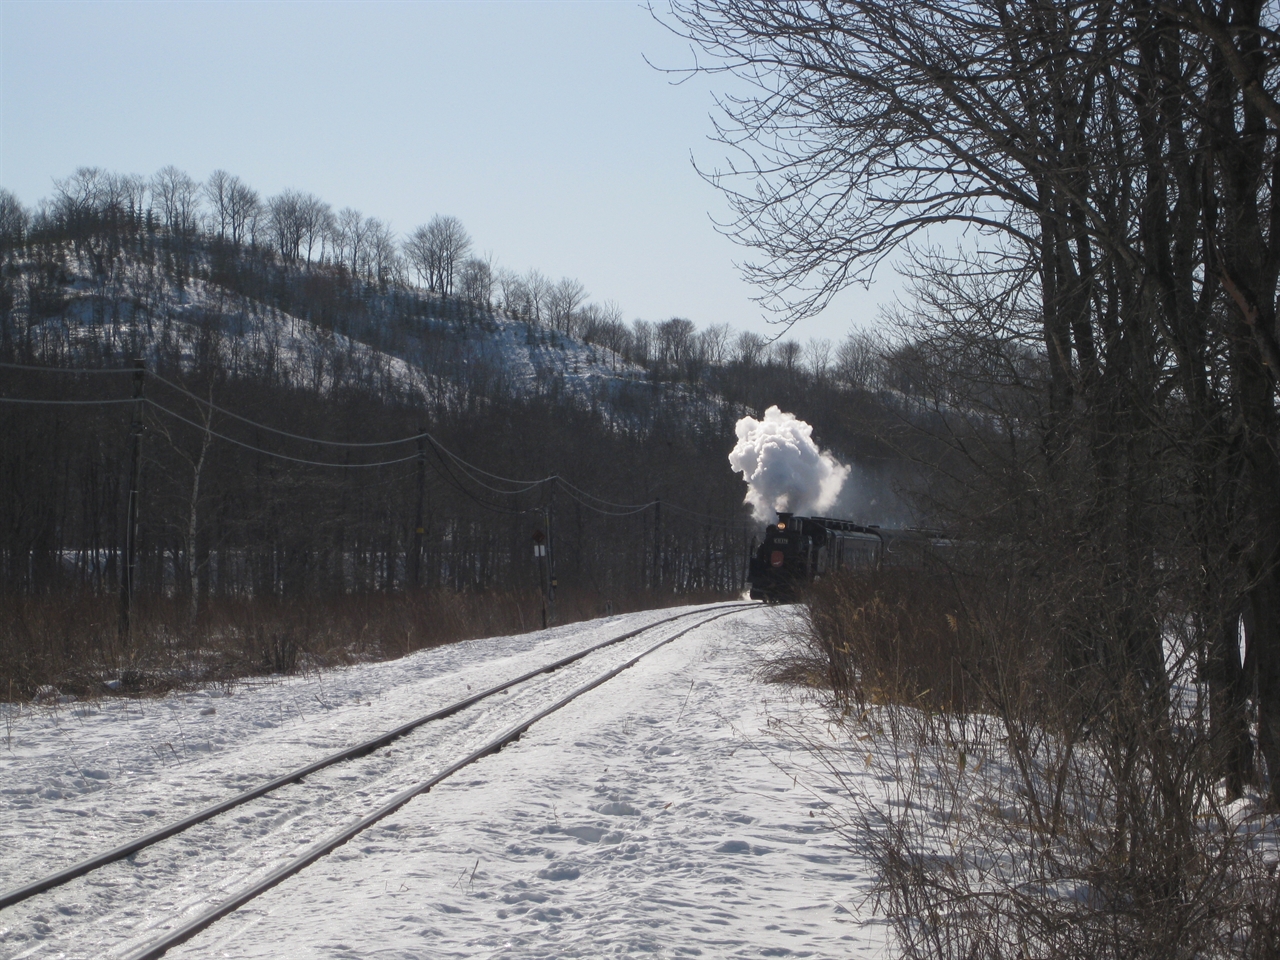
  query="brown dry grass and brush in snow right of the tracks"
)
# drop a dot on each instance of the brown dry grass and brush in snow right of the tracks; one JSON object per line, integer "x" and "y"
{"x": 1031, "y": 813}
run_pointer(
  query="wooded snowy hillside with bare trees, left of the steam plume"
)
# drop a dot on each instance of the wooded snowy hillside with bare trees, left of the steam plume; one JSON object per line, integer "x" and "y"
{"x": 248, "y": 436}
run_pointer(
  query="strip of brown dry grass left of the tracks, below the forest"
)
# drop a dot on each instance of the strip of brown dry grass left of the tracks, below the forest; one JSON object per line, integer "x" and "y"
{"x": 74, "y": 643}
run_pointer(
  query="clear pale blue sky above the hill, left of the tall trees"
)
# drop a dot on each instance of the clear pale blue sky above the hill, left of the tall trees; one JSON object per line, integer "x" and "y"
{"x": 538, "y": 125}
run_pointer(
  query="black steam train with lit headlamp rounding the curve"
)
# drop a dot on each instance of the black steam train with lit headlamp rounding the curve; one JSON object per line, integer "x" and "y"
{"x": 801, "y": 550}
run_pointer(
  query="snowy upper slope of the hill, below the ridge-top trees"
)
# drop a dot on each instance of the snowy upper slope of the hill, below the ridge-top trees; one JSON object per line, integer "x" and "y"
{"x": 140, "y": 313}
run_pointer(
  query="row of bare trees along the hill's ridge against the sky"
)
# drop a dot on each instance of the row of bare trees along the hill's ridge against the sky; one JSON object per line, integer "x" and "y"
{"x": 295, "y": 228}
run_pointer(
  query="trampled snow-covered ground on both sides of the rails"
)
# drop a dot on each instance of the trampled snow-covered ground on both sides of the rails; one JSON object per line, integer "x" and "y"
{"x": 671, "y": 812}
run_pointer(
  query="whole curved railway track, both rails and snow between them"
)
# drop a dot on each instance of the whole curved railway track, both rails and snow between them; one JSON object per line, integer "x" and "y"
{"x": 260, "y": 879}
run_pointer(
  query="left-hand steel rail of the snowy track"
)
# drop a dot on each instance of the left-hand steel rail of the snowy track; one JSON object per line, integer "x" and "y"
{"x": 130, "y": 848}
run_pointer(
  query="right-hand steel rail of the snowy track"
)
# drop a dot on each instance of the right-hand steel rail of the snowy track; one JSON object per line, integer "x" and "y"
{"x": 314, "y": 853}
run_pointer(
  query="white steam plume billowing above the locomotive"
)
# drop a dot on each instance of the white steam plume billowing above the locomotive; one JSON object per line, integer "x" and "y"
{"x": 784, "y": 469}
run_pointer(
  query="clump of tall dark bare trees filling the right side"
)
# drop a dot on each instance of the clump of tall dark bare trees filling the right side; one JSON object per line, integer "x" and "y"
{"x": 1114, "y": 166}
